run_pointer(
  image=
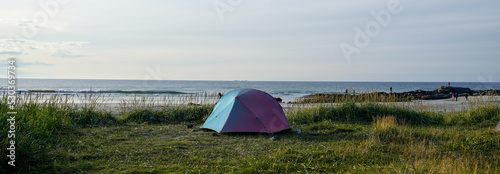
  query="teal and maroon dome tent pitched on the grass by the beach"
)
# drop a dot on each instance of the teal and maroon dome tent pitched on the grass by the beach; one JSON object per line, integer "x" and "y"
{"x": 247, "y": 110}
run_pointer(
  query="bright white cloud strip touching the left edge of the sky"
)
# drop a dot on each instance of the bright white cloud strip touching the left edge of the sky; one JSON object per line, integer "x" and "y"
{"x": 23, "y": 46}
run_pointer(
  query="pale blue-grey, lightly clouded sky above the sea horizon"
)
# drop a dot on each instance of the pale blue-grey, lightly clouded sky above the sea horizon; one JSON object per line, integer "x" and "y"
{"x": 258, "y": 40}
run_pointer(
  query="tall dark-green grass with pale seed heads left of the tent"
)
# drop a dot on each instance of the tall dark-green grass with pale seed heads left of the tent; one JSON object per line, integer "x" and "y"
{"x": 42, "y": 119}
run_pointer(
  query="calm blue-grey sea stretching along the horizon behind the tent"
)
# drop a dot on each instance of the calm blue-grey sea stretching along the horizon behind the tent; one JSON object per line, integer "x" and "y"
{"x": 287, "y": 90}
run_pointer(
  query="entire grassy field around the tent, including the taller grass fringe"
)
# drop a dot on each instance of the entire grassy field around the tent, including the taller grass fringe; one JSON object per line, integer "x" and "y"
{"x": 56, "y": 136}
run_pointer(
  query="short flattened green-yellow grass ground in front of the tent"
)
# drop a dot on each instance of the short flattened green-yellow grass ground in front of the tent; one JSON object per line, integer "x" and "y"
{"x": 352, "y": 148}
